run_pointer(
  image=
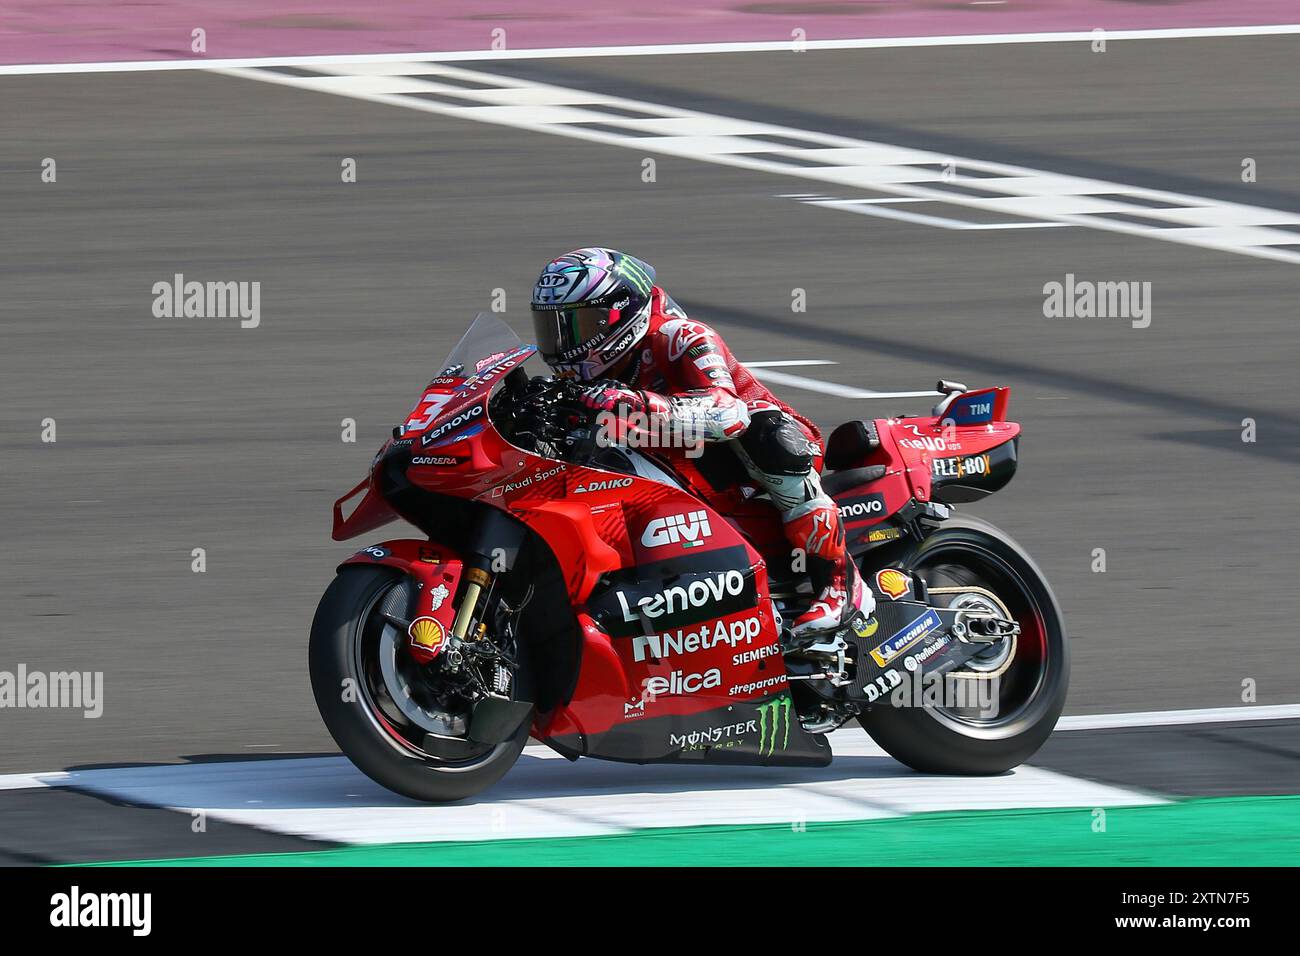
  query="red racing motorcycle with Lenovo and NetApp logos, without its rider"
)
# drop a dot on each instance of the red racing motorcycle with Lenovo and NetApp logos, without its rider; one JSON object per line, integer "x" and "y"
{"x": 613, "y": 602}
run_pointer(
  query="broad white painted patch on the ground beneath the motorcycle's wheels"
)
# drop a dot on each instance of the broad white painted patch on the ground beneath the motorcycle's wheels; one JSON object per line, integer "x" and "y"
{"x": 327, "y": 798}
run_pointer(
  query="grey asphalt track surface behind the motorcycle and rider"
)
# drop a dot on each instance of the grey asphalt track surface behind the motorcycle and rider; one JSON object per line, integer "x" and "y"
{"x": 175, "y": 435}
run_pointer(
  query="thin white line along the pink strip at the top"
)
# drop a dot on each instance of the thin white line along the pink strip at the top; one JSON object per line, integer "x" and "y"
{"x": 662, "y": 50}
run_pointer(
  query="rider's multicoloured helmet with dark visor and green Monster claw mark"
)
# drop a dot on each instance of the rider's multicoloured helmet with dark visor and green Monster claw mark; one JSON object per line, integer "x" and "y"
{"x": 592, "y": 310}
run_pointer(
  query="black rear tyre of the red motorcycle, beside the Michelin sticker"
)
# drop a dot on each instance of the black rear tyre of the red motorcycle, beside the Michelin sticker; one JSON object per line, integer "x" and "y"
{"x": 967, "y": 551}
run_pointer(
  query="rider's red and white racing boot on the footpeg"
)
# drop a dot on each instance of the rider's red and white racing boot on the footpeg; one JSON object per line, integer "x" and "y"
{"x": 840, "y": 592}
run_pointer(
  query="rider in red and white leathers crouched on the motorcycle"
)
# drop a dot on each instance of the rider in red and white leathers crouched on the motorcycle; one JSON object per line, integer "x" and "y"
{"x": 600, "y": 318}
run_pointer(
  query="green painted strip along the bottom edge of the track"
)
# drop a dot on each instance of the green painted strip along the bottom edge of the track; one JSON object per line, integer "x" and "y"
{"x": 1215, "y": 832}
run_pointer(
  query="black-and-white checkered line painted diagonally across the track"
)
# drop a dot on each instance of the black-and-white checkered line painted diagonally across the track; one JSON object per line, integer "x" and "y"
{"x": 876, "y": 167}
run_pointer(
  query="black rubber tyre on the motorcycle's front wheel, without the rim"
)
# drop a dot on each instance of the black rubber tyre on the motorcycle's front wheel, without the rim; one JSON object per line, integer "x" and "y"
{"x": 341, "y": 622}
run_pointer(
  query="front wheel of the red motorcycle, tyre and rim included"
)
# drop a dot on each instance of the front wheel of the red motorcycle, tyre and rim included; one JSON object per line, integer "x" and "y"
{"x": 396, "y": 721}
